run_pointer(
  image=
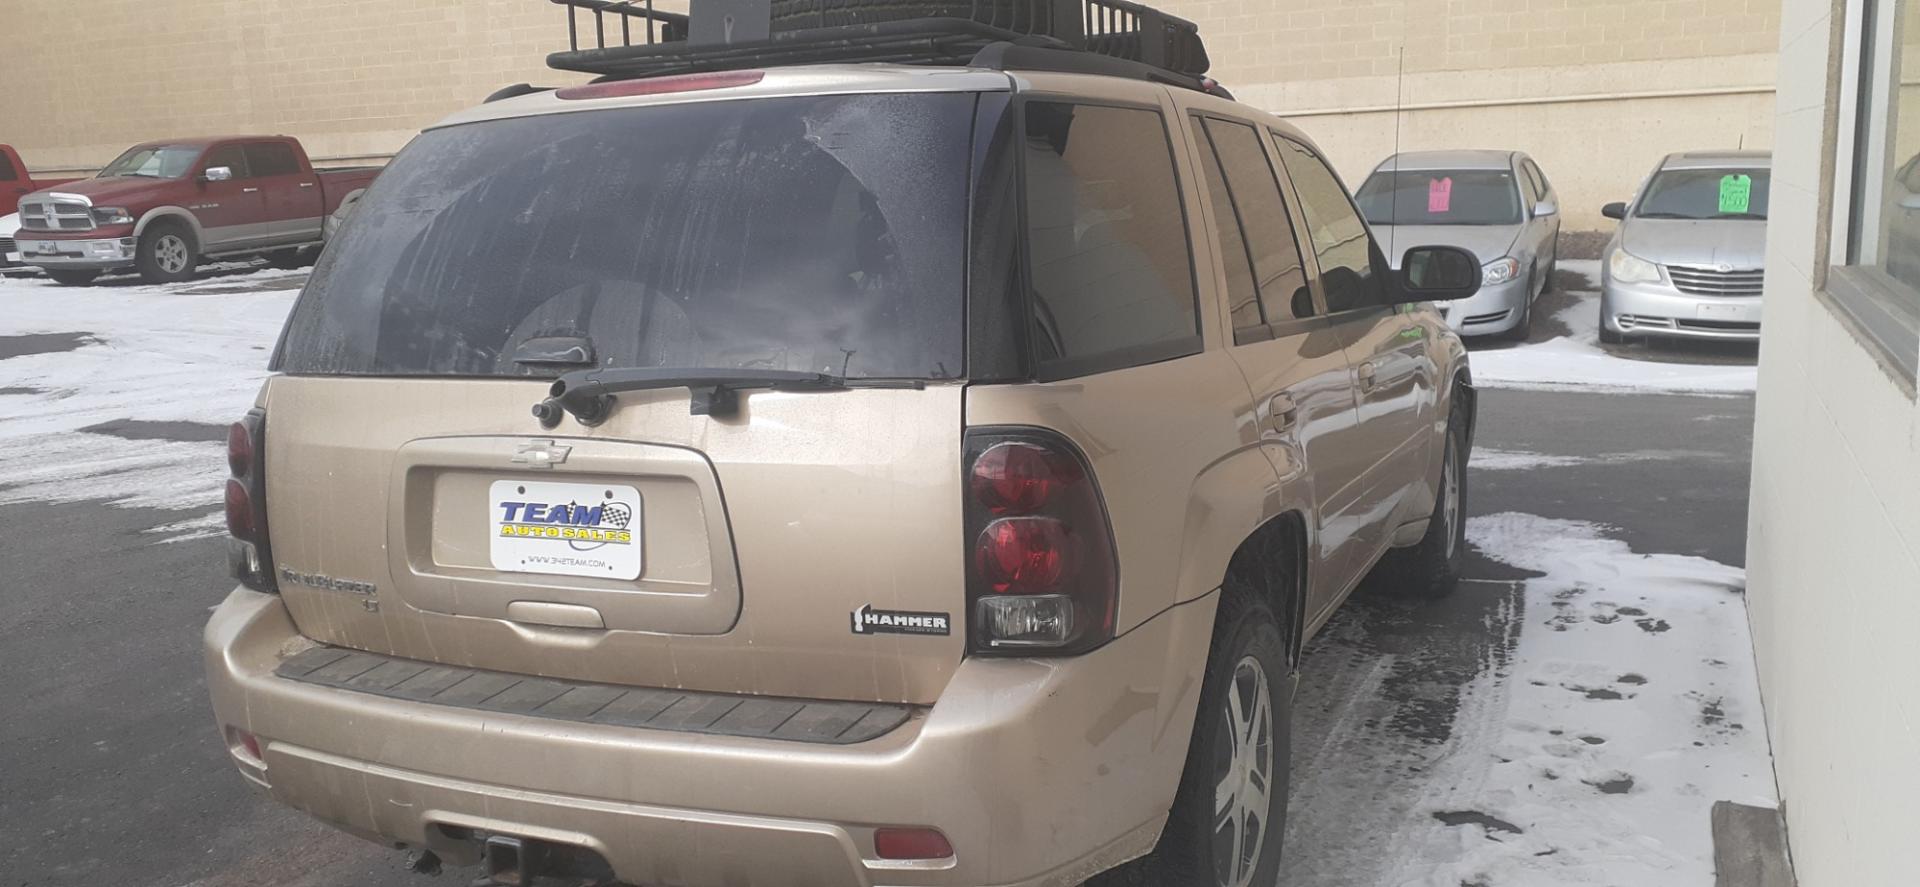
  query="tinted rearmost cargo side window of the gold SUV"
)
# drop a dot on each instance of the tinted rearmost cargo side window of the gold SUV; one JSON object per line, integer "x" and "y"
{"x": 1107, "y": 239}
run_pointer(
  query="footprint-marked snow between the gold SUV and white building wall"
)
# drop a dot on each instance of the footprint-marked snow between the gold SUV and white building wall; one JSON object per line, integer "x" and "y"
{"x": 1595, "y": 752}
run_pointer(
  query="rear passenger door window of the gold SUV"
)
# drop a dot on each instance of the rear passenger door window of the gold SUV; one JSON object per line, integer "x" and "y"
{"x": 1270, "y": 231}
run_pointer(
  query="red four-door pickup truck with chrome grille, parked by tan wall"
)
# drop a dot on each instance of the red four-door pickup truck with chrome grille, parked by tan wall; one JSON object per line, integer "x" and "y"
{"x": 166, "y": 206}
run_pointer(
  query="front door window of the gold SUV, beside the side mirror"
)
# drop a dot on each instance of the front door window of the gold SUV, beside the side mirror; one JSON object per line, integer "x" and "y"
{"x": 1339, "y": 237}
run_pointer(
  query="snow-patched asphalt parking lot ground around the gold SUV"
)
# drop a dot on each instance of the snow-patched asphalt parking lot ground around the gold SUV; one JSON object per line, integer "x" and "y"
{"x": 1566, "y": 719}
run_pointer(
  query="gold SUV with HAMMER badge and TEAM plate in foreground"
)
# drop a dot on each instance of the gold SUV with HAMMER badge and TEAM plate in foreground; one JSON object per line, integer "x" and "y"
{"x": 832, "y": 475}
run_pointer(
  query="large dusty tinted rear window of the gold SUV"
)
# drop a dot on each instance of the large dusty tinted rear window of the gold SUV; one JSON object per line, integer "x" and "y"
{"x": 817, "y": 235}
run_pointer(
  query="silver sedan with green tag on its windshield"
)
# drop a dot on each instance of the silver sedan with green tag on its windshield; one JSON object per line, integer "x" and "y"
{"x": 1689, "y": 254}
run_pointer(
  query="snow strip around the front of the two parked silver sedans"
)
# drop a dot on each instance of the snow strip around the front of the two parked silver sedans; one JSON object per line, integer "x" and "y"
{"x": 1579, "y": 362}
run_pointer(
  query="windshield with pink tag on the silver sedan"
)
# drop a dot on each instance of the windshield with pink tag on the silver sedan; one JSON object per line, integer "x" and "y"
{"x": 1441, "y": 197}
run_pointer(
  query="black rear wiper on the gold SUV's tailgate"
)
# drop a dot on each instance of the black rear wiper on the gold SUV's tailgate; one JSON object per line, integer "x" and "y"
{"x": 590, "y": 395}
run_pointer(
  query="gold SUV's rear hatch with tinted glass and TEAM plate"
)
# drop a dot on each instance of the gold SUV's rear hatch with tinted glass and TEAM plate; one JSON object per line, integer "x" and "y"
{"x": 418, "y": 508}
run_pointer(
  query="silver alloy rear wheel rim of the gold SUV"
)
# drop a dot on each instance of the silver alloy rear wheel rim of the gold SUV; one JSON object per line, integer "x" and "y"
{"x": 1243, "y": 771}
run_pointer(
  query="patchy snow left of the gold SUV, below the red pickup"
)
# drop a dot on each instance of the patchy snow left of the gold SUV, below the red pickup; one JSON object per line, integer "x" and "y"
{"x": 191, "y": 352}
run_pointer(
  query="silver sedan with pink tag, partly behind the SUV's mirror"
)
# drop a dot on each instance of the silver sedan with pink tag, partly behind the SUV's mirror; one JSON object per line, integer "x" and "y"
{"x": 1495, "y": 204}
